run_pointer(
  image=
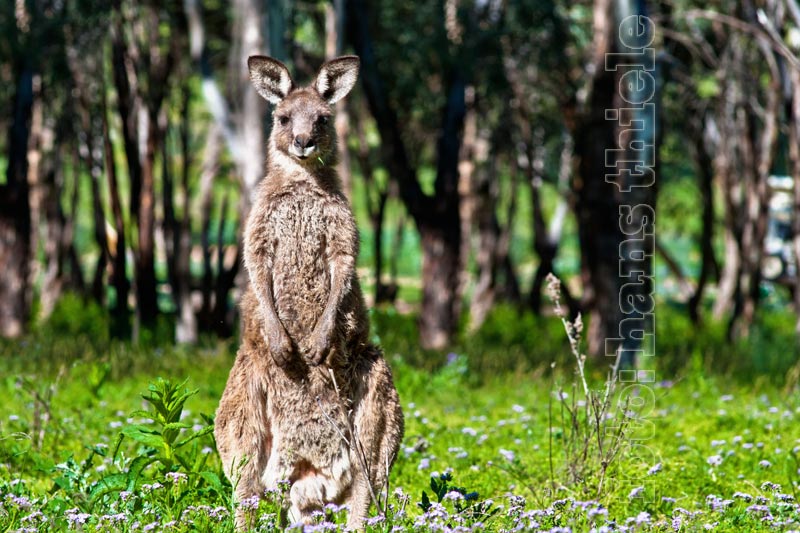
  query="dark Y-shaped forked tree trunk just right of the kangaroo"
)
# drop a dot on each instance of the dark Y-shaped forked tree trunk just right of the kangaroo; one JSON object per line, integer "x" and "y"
{"x": 437, "y": 218}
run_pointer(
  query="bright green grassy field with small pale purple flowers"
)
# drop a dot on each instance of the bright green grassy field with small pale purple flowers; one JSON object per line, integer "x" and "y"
{"x": 484, "y": 449}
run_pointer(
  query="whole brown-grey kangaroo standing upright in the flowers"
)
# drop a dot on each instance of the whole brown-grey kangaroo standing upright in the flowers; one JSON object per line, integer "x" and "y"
{"x": 309, "y": 399}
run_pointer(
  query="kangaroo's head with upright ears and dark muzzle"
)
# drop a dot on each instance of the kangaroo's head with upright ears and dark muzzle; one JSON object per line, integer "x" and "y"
{"x": 302, "y": 125}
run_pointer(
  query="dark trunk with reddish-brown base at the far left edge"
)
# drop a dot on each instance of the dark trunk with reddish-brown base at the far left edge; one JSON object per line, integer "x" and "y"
{"x": 15, "y": 222}
